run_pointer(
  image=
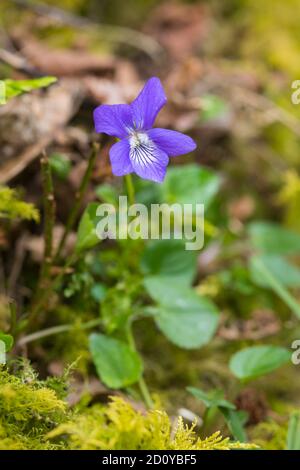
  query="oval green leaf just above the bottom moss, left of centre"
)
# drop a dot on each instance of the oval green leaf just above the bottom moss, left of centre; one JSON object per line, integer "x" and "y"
{"x": 117, "y": 364}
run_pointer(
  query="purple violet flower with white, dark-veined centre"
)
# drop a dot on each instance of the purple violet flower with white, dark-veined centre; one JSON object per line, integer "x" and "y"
{"x": 141, "y": 149}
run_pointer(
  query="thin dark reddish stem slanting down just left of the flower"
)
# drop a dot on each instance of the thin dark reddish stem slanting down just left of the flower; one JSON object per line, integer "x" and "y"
{"x": 79, "y": 198}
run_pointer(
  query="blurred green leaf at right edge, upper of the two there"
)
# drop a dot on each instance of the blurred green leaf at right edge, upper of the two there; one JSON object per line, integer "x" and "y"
{"x": 273, "y": 239}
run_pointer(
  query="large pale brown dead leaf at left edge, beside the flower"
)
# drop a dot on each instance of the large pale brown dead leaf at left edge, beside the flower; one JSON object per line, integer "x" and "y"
{"x": 30, "y": 122}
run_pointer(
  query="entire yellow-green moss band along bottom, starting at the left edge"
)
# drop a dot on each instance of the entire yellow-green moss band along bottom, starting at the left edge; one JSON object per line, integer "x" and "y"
{"x": 34, "y": 416}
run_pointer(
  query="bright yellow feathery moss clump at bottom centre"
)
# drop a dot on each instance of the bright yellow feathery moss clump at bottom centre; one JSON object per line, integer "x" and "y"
{"x": 119, "y": 426}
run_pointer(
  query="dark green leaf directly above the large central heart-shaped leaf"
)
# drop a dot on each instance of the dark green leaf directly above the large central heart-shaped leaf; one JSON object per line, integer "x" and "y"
{"x": 169, "y": 258}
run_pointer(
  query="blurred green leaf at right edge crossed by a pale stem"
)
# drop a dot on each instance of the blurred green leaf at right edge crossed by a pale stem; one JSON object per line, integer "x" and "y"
{"x": 285, "y": 273}
